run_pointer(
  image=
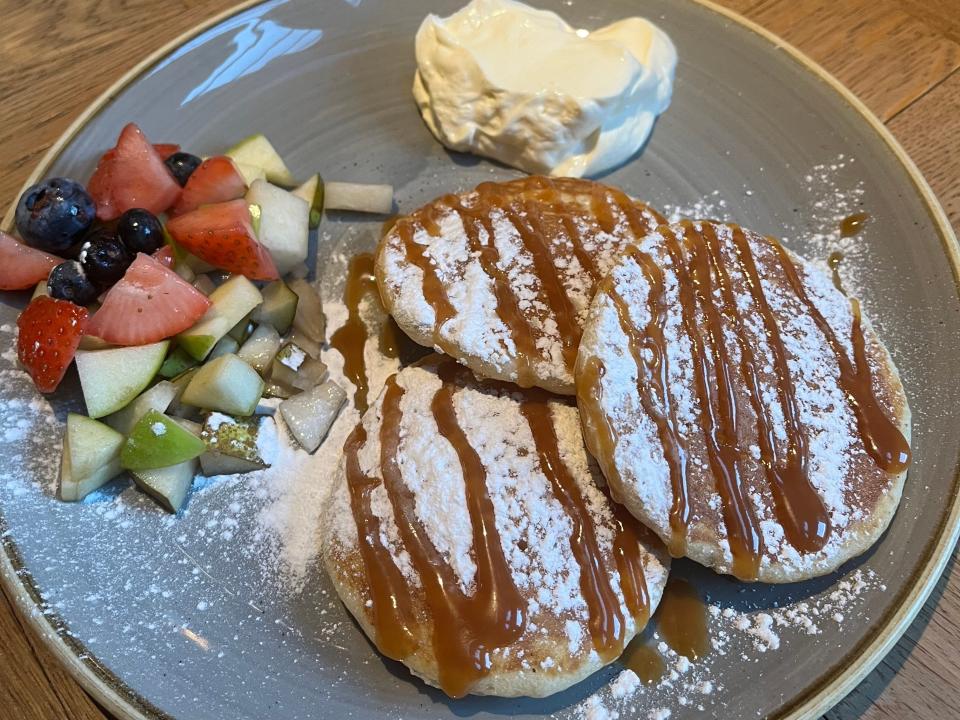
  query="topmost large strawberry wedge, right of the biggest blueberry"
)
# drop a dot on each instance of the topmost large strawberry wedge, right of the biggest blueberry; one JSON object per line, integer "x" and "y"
{"x": 132, "y": 175}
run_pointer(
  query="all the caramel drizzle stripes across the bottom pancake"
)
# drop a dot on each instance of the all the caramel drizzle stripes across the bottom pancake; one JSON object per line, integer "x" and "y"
{"x": 467, "y": 628}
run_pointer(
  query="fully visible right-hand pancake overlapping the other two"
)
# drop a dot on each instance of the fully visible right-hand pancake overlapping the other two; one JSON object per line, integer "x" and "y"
{"x": 740, "y": 405}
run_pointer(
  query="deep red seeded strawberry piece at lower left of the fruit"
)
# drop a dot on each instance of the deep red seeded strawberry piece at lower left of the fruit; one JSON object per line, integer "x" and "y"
{"x": 50, "y": 332}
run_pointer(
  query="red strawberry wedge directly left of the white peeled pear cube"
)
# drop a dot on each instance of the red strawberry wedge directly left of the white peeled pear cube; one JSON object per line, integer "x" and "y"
{"x": 223, "y": 235}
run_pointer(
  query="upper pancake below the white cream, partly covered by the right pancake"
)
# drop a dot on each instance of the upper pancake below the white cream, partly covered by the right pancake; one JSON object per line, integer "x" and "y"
{"x": 512, "y": 307}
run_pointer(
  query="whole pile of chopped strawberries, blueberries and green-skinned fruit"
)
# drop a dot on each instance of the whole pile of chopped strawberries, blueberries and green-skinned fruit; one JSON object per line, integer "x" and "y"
{"x": 176, "y": 286}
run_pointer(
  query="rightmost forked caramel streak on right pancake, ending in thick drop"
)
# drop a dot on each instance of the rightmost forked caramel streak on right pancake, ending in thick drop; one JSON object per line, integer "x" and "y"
{"x": 881, "y": 437}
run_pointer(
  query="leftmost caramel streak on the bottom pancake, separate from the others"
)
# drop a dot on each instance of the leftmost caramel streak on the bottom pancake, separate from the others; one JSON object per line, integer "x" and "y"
{"x": 393, "y": 616}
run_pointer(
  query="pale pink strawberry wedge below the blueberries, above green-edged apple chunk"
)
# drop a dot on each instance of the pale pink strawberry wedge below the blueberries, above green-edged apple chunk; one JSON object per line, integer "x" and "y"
{"x": 149, "y": 303}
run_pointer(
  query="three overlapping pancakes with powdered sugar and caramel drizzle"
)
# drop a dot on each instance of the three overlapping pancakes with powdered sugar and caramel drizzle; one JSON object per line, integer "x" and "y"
{"x": 730, "y": 404}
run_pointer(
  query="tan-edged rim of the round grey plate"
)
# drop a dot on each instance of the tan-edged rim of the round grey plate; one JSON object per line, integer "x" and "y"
{"x": 122, "y": 701}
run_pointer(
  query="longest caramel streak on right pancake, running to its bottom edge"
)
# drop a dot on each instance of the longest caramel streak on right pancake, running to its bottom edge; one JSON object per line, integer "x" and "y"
{"x": 716, "y": 399}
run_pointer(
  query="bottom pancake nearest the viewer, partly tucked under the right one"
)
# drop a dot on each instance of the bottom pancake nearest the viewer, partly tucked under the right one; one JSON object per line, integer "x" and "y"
{"x": 489, "y": 558}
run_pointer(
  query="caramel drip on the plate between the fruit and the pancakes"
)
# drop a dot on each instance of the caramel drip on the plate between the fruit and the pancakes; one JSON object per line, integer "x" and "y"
{"x": 351, "y": 338}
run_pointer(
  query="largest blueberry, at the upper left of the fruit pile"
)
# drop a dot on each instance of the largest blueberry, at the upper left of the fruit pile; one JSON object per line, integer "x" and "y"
{"x": 54, "y": 214}
